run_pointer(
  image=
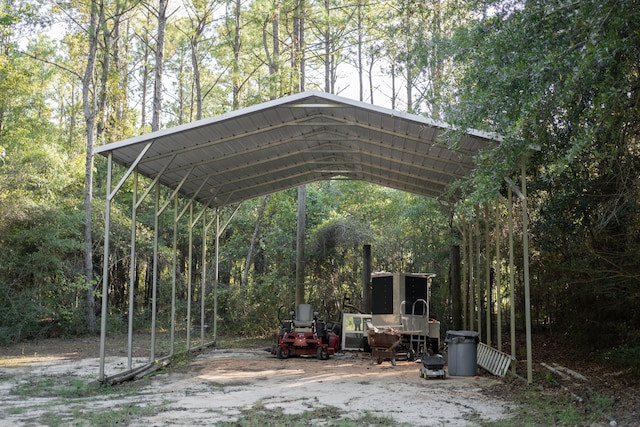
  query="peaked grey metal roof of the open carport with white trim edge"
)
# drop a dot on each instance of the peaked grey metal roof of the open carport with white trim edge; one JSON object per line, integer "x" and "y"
{"x": 295, "y": 140}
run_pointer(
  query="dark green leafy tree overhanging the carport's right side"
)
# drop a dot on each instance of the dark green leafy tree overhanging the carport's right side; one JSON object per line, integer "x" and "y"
{"x": 562, "y": 76}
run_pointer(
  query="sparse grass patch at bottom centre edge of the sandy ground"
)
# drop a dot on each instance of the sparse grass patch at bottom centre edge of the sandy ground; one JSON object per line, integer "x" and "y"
{"x": 330, "y": 416}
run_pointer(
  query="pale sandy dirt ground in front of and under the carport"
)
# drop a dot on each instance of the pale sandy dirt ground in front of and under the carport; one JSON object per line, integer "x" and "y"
{"x": 218, "y": 384}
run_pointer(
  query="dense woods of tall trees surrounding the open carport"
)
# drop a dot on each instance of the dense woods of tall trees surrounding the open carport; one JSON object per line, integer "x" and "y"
{"x": 561, "y": 76}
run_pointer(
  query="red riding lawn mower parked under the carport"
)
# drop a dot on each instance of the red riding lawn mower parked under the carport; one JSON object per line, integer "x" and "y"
{"x": 305, "y": 335}
